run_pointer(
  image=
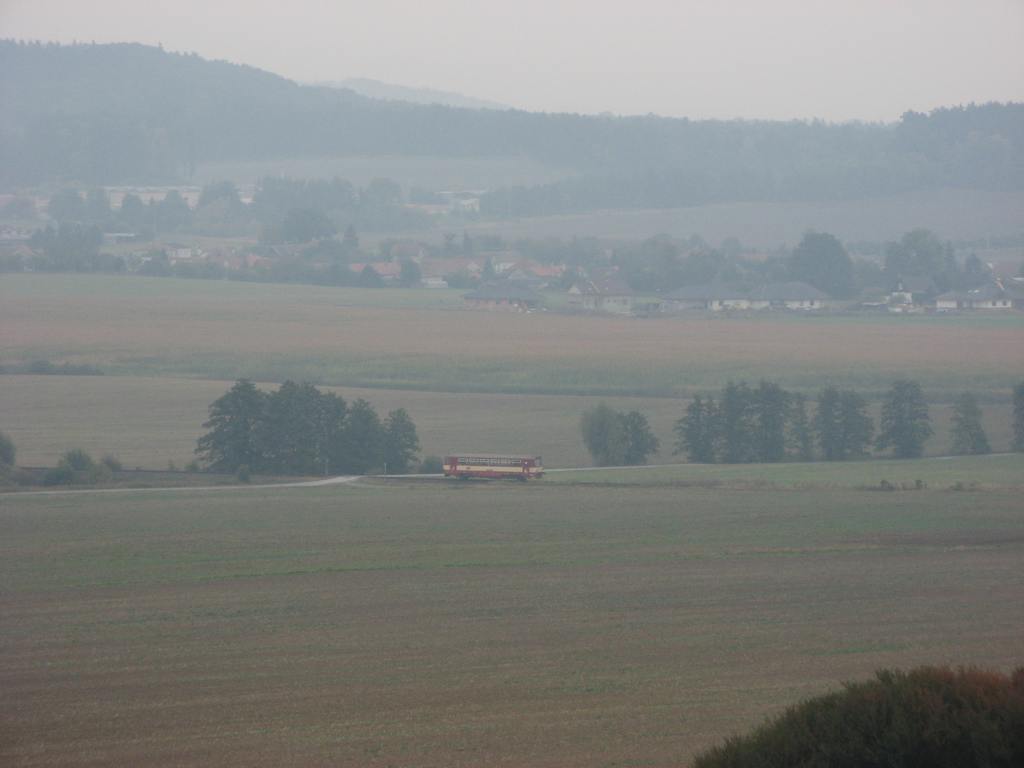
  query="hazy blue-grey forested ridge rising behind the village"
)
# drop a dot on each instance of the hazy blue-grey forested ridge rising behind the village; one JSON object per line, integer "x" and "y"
{"x": 126, "y": 113}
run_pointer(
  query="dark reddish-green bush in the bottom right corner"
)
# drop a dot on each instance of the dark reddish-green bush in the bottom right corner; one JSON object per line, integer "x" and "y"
{"x": 933, "y": 717}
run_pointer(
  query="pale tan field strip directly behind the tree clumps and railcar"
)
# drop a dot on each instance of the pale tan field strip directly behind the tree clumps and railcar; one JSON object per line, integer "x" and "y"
{"x": 149, "y": 422}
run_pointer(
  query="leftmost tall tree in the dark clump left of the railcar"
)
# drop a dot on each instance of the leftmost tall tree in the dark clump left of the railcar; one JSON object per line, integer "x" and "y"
{"x": 233, "y": 424}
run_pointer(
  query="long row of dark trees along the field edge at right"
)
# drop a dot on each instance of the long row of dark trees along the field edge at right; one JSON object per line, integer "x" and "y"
{"x": 766, "y": 423}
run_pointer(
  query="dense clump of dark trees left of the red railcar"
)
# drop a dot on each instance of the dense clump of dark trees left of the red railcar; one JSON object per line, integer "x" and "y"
{"x": 304, "y": 432}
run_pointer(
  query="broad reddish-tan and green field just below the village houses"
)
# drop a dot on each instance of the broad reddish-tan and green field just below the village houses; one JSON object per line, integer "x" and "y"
{"x": 270, "y": 333}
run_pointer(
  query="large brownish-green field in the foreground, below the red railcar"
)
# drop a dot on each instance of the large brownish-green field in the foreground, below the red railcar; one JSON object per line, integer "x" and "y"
{"x": 434, "y": 625}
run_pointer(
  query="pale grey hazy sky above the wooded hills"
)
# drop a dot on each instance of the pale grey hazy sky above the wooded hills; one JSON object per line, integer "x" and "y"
{"x": 838, "y": 60}
